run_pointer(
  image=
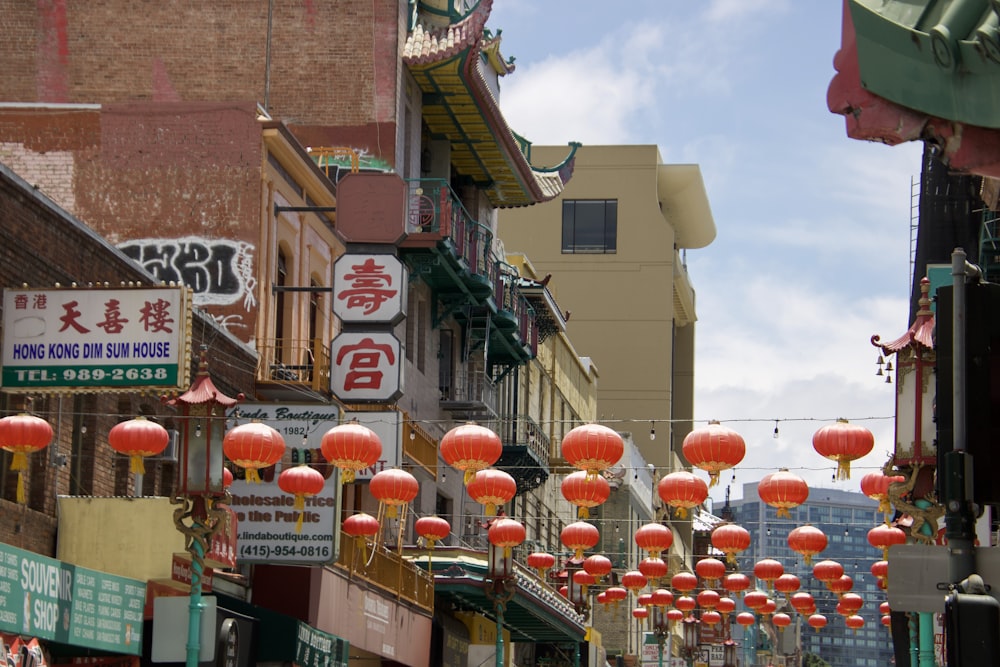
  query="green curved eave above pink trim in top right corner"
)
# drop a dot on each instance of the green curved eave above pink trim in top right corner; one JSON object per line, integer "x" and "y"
{"x": 925, "y": 58}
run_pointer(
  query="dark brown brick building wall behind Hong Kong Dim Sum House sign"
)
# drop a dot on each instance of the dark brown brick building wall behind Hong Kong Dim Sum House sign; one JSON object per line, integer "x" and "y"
{"x": 40, "y": 245}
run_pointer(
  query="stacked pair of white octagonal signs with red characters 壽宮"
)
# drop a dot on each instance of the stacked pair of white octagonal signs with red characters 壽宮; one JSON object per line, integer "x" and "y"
{"x": 369, "y": 298}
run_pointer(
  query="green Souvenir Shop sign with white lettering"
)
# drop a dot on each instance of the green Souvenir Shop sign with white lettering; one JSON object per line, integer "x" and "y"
{"x": 47, "y": 598}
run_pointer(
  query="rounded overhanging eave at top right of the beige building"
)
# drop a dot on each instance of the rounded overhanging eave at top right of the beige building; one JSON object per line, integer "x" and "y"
{"x": 684, "y": 203}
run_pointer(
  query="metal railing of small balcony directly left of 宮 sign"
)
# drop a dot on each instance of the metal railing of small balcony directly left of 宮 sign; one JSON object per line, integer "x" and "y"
{"x": 294, "y": 361}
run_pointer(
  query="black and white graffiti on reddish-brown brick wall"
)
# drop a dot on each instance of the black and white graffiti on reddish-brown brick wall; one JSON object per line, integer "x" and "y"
{"x": 218, "y": 271}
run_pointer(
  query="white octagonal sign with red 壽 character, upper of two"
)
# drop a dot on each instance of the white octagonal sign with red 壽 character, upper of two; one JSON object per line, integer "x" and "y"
{"x": 369, "y": 289}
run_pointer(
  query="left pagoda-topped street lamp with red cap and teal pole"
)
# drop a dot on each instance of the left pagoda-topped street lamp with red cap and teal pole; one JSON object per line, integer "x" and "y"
{"x": 202, "y": 493}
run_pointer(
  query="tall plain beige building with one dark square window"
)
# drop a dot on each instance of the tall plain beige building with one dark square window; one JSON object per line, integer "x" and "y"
{"x": 616, "y": 239}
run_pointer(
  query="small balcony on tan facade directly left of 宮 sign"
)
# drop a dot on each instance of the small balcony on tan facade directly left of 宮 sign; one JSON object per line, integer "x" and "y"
{"x": 293, "y": 369}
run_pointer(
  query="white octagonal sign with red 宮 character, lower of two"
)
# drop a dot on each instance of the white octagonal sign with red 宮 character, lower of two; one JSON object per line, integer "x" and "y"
{"x": 366, "y": 366}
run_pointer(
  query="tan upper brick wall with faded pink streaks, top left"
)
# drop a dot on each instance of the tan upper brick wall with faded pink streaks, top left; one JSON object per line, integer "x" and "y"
{"x": 333, "y": 75}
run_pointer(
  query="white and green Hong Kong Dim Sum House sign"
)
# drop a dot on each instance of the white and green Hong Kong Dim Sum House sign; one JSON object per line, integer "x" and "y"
{"x": 65, "y": 339}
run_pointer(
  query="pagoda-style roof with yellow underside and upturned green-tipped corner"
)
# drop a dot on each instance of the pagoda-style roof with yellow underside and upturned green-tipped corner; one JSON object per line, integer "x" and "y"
{"x": 457, "y": 66}
